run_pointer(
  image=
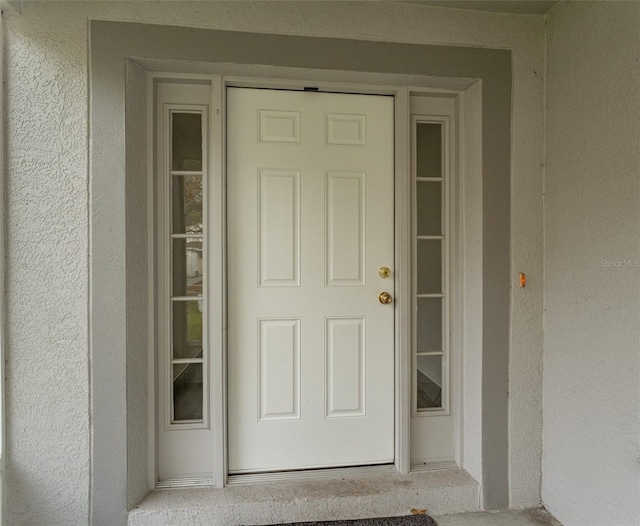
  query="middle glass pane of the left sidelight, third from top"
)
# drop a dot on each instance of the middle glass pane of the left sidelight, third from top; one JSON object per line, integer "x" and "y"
{"x": 187, "y": 267}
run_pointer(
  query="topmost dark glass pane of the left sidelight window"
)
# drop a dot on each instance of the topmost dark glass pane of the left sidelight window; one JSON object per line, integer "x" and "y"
{"x": 186, "y": 141}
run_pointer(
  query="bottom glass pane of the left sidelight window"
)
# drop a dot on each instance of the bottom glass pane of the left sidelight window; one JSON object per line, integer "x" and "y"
{"x": 187, "y": 391}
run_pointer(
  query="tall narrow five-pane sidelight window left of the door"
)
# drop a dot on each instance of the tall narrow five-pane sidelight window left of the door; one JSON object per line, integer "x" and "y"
{"x": 186, "y": 360}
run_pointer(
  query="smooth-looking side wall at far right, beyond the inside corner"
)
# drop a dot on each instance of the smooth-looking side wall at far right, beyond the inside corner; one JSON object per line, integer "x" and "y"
{"x": 591, "y": 472}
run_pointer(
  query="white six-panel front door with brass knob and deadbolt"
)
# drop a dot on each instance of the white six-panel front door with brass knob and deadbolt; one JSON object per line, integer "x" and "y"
{"x": 310, "y": 224}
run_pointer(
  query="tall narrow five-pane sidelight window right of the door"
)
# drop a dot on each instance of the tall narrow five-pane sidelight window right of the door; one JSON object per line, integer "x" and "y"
{"x": 431, "y": 261}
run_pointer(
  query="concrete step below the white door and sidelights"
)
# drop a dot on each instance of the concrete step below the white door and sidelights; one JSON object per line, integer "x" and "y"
{"x": 388, "y": 495}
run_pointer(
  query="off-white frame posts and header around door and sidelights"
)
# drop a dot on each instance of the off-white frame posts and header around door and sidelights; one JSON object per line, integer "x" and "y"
{"x": 217, "y": 291}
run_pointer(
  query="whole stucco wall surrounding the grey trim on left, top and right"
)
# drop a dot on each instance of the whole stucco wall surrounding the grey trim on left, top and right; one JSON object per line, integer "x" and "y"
{"x": 47, "y": 210}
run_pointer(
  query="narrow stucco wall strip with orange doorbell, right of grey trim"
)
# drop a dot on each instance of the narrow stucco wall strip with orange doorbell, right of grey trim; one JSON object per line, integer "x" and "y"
{"x": 525, "y": 357}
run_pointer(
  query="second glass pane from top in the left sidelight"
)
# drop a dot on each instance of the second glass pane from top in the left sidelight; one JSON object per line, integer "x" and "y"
{"x": 186, "y": 204}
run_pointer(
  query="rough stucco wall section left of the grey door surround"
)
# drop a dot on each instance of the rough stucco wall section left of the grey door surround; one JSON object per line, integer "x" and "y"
{"x": 46, "y": 213}
